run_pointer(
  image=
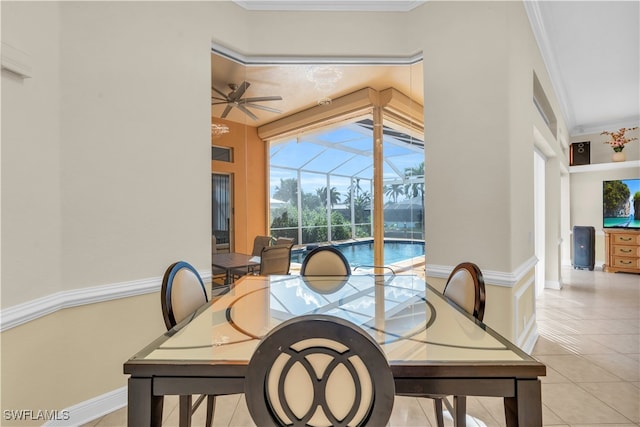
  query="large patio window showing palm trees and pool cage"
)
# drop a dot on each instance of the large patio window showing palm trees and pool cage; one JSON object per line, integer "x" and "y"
{"x": 322, "y": 183}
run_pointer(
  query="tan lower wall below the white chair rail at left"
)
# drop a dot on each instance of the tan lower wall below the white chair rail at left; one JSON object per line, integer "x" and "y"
{"x": 75, "y": 354}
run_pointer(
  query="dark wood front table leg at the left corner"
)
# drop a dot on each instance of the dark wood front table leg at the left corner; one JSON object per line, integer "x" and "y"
{"x": 144, "y": 409}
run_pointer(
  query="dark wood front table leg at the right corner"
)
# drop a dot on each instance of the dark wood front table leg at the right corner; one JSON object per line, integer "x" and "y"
{"x": 525, "y": 409}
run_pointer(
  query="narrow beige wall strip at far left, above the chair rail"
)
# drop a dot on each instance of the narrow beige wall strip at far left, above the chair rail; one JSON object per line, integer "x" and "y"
{"x": 31, "y": 157}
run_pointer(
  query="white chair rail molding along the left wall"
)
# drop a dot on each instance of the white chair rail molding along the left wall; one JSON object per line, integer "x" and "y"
{"x": 30, "y": 310}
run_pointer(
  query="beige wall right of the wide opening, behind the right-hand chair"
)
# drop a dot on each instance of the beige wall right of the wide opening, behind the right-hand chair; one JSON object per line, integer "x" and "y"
{"x": 479, "y": 133}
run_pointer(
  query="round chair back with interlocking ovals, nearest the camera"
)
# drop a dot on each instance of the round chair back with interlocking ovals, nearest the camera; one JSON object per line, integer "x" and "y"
{"x": 319, "y": 370}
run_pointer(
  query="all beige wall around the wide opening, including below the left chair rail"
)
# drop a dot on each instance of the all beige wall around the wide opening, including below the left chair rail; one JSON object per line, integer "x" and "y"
{"x": 105, "y": 156}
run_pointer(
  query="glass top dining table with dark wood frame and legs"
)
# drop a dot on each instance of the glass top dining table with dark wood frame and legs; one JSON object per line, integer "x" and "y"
{"x": 432, "y": 346}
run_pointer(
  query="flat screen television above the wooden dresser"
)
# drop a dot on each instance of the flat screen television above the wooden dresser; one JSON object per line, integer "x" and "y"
{"x": 621, "y": 203}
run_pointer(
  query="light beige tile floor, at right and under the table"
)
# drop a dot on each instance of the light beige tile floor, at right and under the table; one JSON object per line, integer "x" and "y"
{"x": 589, "y": 340}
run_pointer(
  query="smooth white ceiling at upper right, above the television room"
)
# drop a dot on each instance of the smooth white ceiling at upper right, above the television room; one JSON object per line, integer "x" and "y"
{"x": 592, "y": 52}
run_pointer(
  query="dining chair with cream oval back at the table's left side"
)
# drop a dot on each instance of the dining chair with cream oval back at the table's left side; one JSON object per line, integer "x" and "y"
{"x": 182, "y": 293}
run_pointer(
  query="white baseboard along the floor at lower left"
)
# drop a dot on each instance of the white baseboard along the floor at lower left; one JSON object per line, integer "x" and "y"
{"x": 91, "y": 409}
